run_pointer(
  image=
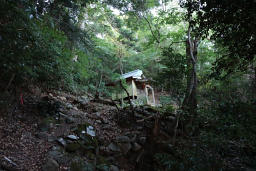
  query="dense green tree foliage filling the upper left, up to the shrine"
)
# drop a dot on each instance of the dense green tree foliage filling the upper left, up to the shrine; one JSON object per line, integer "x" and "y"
{"x": 51, "y": 50}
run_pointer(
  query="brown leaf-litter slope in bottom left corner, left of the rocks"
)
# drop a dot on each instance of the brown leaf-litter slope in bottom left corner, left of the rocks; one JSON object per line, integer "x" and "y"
{"x": 18, "y": 142}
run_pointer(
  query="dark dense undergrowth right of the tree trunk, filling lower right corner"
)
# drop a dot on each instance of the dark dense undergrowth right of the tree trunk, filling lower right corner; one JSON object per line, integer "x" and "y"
{"x": 223, "y": 135}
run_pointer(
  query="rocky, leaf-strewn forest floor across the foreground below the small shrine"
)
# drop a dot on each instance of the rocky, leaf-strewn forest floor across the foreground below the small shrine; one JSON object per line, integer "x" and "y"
{"x": 34, "y": 136}
